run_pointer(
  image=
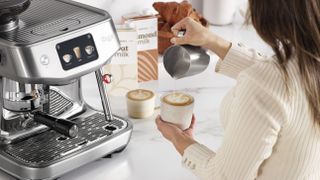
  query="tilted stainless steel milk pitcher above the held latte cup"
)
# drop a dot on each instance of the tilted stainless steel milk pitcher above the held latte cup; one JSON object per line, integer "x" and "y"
{"x": 184, "y": 60}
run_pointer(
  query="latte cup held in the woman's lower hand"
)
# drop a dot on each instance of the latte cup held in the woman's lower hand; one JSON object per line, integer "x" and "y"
{"x": 177, "y": 108}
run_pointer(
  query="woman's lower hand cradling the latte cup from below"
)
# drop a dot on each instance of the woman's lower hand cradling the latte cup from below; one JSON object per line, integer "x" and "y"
{"x": 179, "y": 138}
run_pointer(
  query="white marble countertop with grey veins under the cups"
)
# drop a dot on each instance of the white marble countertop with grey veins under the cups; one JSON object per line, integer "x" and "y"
{"x": 149, "y": 155}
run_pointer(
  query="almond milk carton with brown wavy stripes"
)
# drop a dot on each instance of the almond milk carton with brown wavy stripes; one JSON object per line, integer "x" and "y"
{"x": 147, "y": 29}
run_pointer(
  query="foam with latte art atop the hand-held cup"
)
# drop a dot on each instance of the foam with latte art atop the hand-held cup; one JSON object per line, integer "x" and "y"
{"x": 178, "y": 99}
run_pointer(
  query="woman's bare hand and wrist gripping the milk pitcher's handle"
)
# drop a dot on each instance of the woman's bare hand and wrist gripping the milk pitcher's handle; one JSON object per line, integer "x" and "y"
{"x": 197, "y": 35}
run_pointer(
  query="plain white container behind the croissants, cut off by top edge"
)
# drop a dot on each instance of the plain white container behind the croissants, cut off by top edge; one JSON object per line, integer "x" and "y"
{"x": 219, "y": 12}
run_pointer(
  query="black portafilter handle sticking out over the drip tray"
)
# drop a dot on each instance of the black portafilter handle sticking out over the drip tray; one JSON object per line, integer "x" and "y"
{"x": 62, "y": 126}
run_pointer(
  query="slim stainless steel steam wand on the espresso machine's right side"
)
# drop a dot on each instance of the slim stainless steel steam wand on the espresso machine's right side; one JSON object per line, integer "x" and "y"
{"x": 103, "y": 95}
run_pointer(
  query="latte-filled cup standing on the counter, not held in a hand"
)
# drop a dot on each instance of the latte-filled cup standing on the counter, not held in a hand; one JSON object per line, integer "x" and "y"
{"x": 140, "y": 103}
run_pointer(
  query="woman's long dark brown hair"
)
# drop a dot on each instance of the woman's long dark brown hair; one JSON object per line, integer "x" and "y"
{"x": 292, "y": 29}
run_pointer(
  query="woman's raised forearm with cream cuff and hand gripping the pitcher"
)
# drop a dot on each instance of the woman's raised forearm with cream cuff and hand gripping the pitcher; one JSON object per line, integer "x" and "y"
{"x": 234, "y": 57}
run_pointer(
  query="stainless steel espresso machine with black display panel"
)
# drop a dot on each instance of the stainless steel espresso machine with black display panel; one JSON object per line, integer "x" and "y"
{"x": 46, "y": 128}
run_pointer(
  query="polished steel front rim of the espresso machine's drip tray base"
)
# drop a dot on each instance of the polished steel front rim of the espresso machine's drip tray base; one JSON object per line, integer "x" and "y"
{"x": 72, "y": 158}
